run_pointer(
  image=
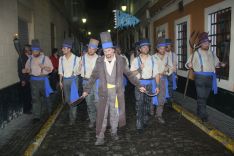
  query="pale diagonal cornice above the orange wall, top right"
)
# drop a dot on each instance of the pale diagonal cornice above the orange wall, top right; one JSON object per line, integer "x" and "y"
{"x": 171, "y": 8}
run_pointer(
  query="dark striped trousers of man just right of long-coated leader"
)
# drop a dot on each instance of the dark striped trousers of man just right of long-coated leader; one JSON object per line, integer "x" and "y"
{"x": 143, "y": 104}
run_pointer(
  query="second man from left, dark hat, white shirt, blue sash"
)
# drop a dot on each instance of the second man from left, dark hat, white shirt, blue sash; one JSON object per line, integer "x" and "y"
{"x": 68, "y": 80}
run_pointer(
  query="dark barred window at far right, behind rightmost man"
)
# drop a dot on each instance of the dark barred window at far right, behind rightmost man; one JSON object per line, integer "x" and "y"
{"x": 220, "y": 32}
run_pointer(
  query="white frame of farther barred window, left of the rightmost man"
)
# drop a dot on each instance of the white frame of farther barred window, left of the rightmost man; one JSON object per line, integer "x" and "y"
{"x": 178, "y": 21}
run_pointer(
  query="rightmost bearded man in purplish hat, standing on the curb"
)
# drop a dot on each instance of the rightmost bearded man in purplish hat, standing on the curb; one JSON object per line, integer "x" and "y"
{"x": 204, "y": 63}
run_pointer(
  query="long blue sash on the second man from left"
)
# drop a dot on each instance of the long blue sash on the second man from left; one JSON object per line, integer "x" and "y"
{"x": 74, "y": 90}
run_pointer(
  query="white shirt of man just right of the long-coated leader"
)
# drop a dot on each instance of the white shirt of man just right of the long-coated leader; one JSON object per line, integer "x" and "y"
{"x": 147, "y": 71}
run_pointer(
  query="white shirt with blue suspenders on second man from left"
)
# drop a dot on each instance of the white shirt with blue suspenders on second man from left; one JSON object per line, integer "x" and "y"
{"x": 68, "y": 66}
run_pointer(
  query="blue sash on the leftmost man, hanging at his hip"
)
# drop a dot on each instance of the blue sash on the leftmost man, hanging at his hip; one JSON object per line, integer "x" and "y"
{"x": 48, "y": 89}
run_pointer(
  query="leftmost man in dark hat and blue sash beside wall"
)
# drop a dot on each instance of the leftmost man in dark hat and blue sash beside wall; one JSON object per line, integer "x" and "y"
{"x": 39, "y": 66}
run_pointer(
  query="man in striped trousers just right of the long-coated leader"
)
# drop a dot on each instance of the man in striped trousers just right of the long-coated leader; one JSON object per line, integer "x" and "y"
{"x": 146, "y": 69}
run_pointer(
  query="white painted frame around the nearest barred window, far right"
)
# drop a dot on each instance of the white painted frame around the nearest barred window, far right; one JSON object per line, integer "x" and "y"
{"x": 225, "y": 84}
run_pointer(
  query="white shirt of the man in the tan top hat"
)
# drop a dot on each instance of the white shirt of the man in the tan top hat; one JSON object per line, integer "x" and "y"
{"x": 90, "y": 62}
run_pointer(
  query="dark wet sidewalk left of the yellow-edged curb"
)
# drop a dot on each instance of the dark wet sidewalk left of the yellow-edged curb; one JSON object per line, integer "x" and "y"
{"x": 20, "y": 132}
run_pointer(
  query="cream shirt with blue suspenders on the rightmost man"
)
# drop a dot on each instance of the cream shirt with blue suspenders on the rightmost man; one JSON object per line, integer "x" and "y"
{"x": 209, "y": 61}
